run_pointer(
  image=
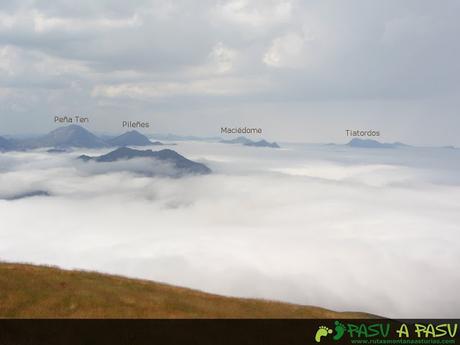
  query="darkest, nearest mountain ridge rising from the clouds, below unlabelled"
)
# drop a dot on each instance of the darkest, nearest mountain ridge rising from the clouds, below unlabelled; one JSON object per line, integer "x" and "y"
{"x": 180, "y": 163}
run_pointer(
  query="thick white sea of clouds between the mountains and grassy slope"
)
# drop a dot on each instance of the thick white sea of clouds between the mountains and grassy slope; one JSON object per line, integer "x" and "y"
{"x": 346, "y": 229}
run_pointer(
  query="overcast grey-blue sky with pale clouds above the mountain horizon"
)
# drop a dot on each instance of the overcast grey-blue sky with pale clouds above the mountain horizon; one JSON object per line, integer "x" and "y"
{"x": 300, "y": 70}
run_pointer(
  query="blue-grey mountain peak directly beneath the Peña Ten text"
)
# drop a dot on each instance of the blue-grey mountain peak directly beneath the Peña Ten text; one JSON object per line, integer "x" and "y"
{"x": 64, "y": 137}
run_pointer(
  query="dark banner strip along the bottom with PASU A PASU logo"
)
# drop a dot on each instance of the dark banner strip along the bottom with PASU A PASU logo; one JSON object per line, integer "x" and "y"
{"x": 222, "y": 332}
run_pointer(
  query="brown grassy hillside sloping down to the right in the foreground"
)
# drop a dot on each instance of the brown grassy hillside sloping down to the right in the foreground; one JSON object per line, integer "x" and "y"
{"x": 38, "y": 291}
